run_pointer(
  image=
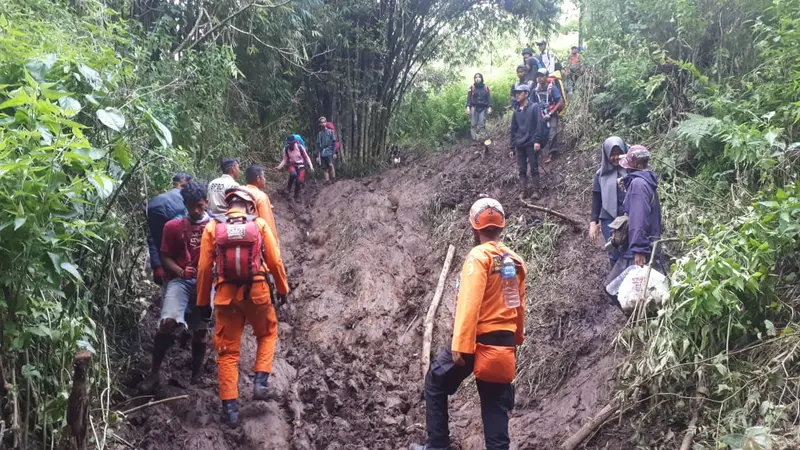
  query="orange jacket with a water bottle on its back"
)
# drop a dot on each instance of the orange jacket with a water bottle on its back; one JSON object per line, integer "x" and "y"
{"x": 480, "y": 308}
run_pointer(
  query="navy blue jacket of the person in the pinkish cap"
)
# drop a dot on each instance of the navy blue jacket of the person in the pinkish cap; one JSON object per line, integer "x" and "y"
{"x": 644, "y": 211}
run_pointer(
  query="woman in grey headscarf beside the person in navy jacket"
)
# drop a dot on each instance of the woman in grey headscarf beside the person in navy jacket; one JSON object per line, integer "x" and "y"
{"x": 607, "y": 194}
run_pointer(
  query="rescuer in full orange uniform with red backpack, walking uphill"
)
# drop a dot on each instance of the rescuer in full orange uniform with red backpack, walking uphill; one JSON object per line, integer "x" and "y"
{"x": 240, "y": 247}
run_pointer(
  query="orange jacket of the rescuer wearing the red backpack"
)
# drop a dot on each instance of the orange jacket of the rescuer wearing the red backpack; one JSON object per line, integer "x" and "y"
{"x": 226, "y": 293}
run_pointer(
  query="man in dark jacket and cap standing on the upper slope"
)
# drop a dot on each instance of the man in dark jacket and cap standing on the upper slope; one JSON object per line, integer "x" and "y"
{"x": 528, "y": 135}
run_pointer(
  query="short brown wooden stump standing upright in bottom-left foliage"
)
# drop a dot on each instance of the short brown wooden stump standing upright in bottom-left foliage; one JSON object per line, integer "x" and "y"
{"x": 78, "y": 403}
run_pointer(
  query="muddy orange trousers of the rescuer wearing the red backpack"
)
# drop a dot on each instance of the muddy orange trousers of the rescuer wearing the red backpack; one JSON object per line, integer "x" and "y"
{"x": 230, "y": 320}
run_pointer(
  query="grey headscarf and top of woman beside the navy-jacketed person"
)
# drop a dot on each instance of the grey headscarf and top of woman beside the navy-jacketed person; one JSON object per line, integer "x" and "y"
{"x": 607, "y": 196}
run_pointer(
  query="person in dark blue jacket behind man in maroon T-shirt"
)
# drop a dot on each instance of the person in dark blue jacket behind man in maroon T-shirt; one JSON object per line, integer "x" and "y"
{"x": 160, "y": 210}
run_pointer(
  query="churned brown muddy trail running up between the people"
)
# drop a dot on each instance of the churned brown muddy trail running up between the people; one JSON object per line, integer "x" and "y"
{"x": 363, "y": 257}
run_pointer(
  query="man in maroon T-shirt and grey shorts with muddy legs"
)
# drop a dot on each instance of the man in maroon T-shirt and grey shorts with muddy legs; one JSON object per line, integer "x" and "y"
{"x": 180, "y": 252}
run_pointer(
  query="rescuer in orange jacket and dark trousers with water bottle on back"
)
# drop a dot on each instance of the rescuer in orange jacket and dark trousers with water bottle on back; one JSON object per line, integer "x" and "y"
{"x": 485, "y": 334}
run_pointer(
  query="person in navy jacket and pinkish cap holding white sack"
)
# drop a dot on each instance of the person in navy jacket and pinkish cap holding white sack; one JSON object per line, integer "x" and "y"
{"x": 643, "y": 208}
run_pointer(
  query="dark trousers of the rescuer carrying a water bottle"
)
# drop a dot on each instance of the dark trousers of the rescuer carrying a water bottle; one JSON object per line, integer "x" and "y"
{"x": 442, "y": 381}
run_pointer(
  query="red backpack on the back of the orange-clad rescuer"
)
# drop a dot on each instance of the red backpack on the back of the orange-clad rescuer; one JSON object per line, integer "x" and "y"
{"x": 239, "y": 250}
